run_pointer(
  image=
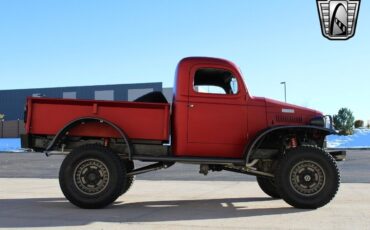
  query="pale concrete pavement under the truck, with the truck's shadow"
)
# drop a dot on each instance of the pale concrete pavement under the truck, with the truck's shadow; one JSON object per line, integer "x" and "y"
{"x": 29, "y": 203}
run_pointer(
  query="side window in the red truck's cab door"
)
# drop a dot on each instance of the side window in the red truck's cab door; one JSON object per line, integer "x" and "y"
{"x": 215, "y": 81}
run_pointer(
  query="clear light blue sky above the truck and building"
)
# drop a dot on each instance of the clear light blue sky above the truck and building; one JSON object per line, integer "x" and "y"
{"x": 70, "y": 43}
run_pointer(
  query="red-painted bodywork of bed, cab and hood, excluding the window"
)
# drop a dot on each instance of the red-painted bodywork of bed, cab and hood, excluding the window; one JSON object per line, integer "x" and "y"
{"x": 214, "y": 125}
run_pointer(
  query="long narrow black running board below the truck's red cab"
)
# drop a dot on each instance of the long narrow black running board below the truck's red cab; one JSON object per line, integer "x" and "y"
{"x": 194, "y": 160}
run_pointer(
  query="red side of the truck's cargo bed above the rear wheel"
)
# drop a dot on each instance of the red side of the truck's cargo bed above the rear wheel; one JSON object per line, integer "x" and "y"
{"x": 139, "y": 120}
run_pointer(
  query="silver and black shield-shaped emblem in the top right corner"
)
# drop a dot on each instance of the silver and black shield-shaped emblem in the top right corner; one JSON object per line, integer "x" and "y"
{"x": 338, "y": 18}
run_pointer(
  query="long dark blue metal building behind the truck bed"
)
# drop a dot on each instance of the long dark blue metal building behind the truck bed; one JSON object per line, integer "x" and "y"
{"x": 12, "y": 101}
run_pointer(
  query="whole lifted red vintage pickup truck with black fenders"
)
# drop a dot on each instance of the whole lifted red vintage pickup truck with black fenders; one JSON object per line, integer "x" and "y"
{"x": 213, "y": 122}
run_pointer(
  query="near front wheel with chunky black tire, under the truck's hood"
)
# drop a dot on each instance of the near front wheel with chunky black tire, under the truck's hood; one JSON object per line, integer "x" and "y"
{"x": 307, "y": 177}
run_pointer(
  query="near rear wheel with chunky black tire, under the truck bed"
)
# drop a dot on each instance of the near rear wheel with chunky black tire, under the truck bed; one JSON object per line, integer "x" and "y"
{"x": 92, "y": 176}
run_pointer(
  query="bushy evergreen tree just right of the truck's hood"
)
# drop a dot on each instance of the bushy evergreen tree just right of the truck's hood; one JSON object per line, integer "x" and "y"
{"x": 344, "y": 121}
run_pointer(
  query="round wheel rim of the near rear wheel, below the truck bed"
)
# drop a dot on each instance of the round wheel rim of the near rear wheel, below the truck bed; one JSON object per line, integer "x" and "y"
{"x": 91, "y": 176}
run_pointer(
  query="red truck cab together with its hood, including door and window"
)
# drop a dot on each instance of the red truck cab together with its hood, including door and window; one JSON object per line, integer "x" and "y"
{"x": 214, "y": 114}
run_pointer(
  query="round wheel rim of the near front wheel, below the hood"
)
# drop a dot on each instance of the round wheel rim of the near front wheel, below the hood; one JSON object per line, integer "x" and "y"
{"x": 307, "y": 178}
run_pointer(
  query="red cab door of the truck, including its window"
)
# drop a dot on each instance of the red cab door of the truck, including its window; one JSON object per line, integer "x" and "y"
{"x": 216, "y": 113}
